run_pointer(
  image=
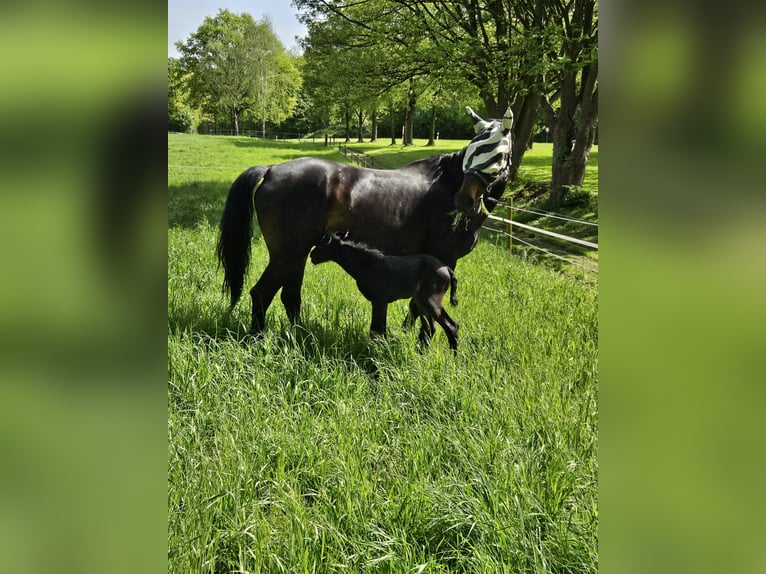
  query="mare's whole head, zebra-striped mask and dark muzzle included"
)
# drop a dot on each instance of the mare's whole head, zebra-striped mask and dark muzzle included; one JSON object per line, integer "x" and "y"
{"x": 488, "y": 153}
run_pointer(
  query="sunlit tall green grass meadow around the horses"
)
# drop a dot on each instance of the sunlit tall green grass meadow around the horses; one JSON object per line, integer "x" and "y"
{"x": 318, "y": 449}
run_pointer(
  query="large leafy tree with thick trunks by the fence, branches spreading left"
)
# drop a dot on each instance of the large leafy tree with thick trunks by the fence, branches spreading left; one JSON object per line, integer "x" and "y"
{"x": 524, "y": 52}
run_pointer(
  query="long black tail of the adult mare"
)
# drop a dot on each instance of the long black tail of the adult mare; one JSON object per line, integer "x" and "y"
{"x": 236, "y": 230}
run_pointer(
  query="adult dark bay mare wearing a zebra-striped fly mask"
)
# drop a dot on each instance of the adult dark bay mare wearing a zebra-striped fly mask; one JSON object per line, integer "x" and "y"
{"x": 431, "y": 206}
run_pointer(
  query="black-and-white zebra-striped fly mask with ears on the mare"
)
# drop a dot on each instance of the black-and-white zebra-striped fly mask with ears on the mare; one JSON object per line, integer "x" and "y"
{"x": 488, "y": 151}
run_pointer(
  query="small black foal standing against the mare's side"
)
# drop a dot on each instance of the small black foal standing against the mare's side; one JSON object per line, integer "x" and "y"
{"x": 383, "y": 279}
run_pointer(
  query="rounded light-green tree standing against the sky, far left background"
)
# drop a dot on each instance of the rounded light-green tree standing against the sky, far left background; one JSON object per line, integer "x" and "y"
{"x": 236, "y": 65}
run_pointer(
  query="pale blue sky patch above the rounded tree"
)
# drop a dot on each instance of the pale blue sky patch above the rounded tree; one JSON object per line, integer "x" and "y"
{"x": 185, "y": 16}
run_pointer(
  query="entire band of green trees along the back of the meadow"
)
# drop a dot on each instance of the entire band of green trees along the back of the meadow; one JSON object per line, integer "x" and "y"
{"x": 362, "y": 57}
